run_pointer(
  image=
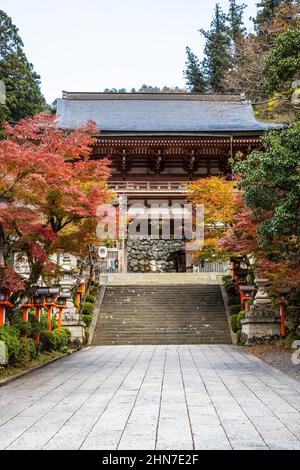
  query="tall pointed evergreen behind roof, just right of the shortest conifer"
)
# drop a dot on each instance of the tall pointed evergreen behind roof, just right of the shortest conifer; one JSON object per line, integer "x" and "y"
{"x": 217, "y": 59}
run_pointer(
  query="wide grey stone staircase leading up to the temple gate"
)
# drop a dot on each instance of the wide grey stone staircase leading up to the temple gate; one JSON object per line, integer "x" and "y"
{"x": 185, "y": 313}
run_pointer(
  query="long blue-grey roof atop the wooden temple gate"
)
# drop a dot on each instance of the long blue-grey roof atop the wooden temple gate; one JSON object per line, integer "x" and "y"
{"x": 156, "y": 112}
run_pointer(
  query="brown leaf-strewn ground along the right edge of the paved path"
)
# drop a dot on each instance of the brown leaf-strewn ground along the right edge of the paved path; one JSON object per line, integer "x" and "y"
{"x": 278, "y": 357}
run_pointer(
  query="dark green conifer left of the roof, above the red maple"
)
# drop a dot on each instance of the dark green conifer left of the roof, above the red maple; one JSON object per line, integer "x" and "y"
{"x": 23, "y": 94}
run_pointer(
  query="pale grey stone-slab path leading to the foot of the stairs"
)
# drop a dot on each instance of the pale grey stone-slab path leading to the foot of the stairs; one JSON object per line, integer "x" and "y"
{"x": 152, "y": 397}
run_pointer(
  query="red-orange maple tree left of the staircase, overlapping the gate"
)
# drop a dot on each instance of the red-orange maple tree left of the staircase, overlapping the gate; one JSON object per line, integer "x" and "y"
{"x": 50, "y": 189}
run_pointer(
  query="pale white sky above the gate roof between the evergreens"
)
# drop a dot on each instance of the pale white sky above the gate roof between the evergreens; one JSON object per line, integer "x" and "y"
{"x": 90, "y": 45}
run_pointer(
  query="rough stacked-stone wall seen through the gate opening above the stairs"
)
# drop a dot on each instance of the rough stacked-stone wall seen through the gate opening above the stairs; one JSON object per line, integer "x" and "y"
{"x": 146, "y": 255}
